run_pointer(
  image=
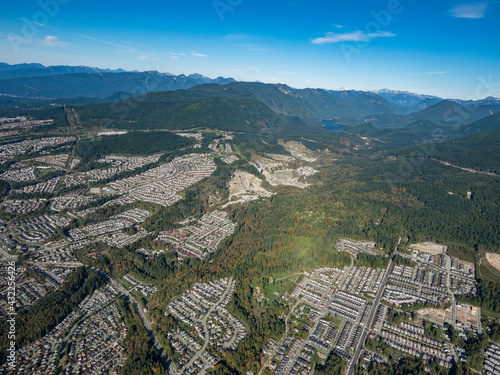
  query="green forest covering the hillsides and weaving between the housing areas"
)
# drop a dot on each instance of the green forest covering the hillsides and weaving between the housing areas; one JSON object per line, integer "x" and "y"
{"x": 365, "y": 189}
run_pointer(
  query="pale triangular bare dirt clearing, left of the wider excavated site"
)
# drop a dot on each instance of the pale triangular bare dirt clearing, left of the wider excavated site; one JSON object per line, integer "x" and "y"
{"x": 245, "y": 187}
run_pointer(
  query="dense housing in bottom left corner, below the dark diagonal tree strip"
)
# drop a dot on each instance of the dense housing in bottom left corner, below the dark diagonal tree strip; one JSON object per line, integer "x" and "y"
{"x": 103, "y": 329}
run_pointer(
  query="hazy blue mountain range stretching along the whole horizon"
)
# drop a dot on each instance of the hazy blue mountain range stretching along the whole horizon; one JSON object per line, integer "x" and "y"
{"x": 151, "y": 99}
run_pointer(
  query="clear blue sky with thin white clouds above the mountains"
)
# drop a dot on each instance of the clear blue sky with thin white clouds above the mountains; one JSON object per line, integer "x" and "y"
{"x": 440, "y": 47}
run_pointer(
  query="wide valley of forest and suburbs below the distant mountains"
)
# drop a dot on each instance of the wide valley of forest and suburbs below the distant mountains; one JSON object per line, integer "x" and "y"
{"x": 220, "y": 229}
